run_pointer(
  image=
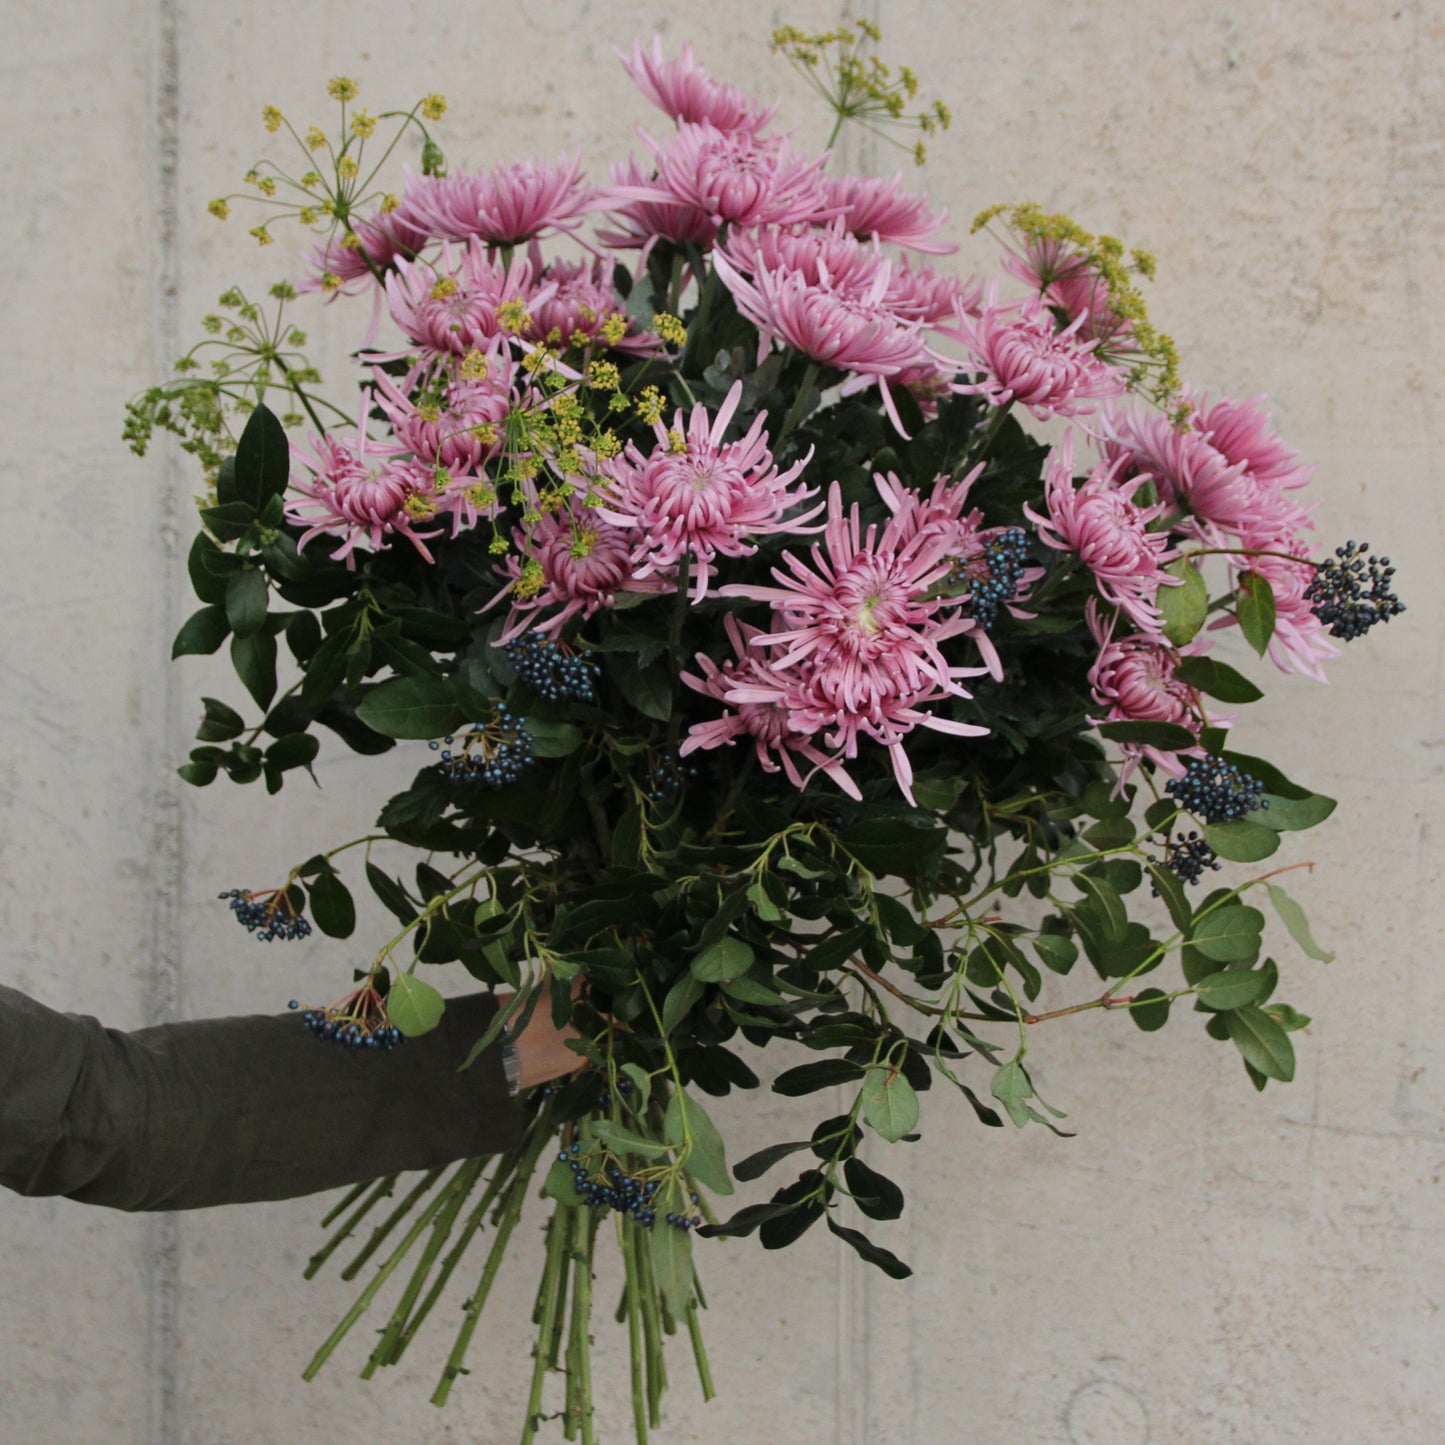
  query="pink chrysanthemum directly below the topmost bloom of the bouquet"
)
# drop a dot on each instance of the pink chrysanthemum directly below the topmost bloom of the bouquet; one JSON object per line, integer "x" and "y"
{"x": 732, "y": 176}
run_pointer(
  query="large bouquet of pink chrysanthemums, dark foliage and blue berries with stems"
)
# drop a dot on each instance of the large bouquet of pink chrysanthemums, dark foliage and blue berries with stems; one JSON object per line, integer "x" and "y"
{"x": 764, "y": 680}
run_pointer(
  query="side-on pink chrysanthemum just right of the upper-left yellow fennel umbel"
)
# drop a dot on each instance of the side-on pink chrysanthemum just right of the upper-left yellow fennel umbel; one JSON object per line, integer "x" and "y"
{"x": 506, "y": 206}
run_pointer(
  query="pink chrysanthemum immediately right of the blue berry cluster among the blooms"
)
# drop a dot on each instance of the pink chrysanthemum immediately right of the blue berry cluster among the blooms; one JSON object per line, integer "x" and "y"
{"x": 1109, "y": 531}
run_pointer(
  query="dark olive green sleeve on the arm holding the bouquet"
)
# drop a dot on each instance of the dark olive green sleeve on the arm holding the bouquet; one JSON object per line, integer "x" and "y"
{"x": 235, "y": 1110}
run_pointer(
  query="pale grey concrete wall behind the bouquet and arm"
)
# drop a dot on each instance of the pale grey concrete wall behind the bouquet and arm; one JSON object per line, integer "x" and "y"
{"x": 1200, "y": 1265}
